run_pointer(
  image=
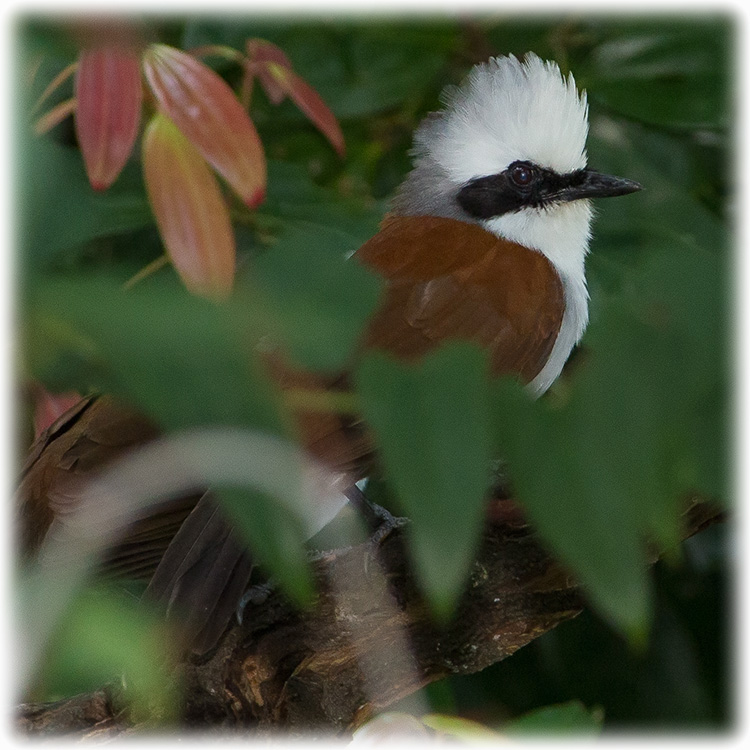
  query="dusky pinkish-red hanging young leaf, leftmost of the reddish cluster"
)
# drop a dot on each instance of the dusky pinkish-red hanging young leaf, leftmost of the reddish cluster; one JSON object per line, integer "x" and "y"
{"x": 109, "y": 95}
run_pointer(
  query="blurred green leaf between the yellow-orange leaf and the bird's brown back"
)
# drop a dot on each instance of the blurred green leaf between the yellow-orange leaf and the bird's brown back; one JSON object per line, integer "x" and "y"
{"x": 319, "y": 299}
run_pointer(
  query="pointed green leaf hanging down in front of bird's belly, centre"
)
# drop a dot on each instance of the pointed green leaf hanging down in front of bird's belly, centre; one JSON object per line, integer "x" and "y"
{"x": 432, "y": 425}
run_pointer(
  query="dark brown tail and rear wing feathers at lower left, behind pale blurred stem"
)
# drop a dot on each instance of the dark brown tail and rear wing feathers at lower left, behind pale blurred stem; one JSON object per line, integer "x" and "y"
{"x": 184, "y": 547}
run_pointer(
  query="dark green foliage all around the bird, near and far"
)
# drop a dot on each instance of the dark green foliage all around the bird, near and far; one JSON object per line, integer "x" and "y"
{"x": 603, "y": 464}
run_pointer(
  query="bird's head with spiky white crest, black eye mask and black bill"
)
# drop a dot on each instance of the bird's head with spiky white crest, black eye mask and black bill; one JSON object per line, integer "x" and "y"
{"x": 509, "y": 152}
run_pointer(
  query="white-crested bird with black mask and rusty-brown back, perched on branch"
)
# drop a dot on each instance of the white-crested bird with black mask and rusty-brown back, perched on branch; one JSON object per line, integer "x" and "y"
{"x": 486, "y": 241}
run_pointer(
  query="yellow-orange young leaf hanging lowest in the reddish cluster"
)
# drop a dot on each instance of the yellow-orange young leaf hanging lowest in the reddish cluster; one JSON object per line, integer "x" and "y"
{"x": 190, "y": 211}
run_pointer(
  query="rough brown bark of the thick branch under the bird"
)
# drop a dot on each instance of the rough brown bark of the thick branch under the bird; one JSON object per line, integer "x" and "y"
{"x": 368, "y": 642}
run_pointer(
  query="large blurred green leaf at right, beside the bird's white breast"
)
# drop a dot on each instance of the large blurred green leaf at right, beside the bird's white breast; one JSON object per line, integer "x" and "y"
{"x": 612, "y": 462}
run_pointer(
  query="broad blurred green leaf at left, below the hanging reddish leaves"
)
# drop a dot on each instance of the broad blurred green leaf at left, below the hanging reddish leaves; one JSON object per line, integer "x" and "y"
{"x": 183, "y": 360}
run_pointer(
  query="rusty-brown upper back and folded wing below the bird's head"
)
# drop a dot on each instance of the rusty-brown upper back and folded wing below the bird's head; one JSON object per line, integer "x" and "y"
{"x": 448, "y": 279}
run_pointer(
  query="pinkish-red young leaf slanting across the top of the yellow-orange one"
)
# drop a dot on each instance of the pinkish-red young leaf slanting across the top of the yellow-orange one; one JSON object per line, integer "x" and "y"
{"x": 207, "y": 112}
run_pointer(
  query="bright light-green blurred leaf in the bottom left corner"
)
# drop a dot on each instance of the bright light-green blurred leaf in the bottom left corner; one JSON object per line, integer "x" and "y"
{"x": 108, "y": 638}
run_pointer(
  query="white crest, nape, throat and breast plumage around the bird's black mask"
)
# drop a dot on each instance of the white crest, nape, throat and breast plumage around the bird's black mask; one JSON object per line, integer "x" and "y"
{"x": 511, "y": 110}
